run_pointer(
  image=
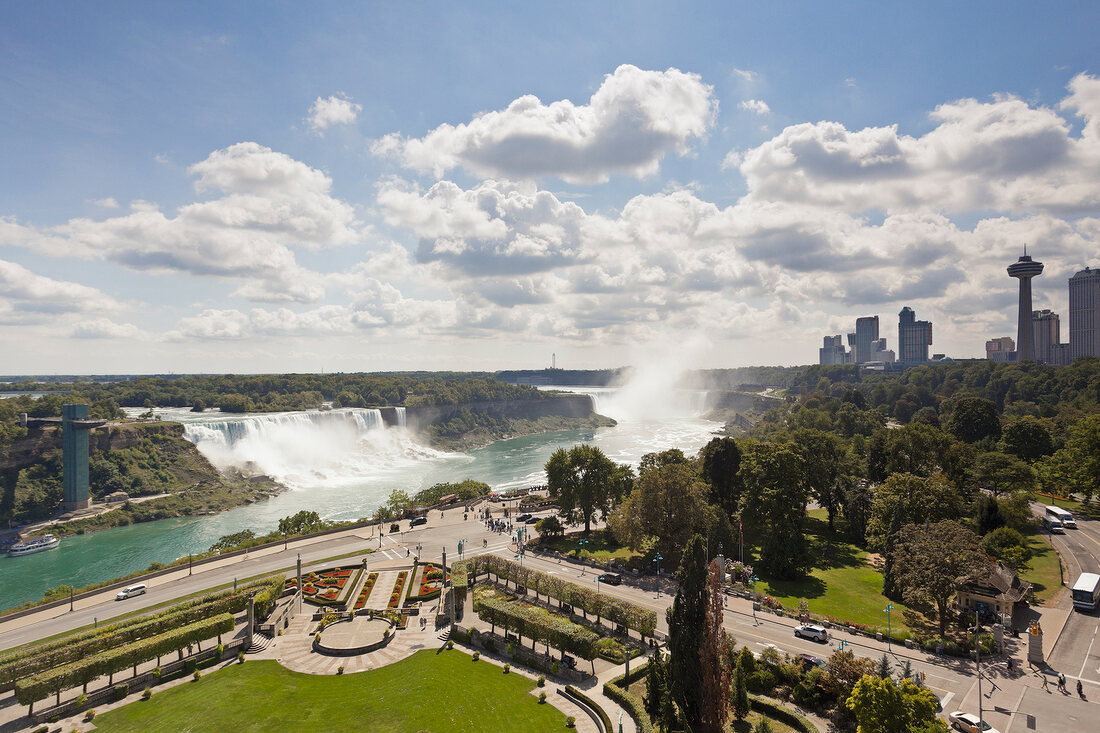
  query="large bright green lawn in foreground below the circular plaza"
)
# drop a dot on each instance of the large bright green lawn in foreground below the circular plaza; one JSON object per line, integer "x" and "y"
{"x": 428, "y": 692}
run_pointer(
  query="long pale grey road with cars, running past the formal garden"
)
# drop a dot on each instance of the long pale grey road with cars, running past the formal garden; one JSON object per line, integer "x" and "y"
{"x": 953, "y": 681}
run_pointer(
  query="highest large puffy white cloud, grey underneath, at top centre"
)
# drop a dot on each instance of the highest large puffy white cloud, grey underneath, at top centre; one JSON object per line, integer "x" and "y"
{"x": 629, "y": 126}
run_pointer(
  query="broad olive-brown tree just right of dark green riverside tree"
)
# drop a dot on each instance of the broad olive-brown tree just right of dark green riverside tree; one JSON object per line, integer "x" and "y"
{"x": 669, "y": 504}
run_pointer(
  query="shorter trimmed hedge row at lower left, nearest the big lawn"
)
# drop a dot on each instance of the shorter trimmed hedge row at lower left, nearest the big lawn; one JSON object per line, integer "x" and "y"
{"x": 116, "y": 660}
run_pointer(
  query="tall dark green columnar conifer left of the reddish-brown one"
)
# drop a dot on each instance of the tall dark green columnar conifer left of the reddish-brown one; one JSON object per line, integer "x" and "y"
{"x": 687, "y": 620}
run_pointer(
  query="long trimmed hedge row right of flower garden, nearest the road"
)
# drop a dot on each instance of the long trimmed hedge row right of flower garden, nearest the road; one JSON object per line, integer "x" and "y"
{"x": 601, "y": 606}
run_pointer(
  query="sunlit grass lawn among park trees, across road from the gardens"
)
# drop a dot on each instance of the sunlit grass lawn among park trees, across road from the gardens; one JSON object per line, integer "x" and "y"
{"x": 841, "y": 585}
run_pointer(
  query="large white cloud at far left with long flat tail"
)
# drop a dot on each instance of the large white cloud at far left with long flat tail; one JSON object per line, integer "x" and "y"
{"x": 268, "y": 205}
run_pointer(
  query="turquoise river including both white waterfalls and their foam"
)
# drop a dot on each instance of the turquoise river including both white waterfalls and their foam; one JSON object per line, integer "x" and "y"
{"x": 344, "y": 465}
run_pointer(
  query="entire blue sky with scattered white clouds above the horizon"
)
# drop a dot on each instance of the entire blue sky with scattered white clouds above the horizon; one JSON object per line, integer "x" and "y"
{"x": 303, "y": 188}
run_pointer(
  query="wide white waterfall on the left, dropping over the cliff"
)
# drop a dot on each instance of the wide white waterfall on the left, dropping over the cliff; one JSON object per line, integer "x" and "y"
{"x": 307, "y": 448}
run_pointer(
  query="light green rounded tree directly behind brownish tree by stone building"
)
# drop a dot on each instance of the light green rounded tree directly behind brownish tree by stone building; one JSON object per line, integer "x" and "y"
{"x": 925, "y": 499}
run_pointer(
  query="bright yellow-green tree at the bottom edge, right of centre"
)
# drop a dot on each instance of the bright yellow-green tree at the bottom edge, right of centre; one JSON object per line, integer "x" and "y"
{"x": 883, "y": 707}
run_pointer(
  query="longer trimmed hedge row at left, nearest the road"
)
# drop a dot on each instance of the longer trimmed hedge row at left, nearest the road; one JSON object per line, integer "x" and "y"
{"x": 61, "y": 652}
